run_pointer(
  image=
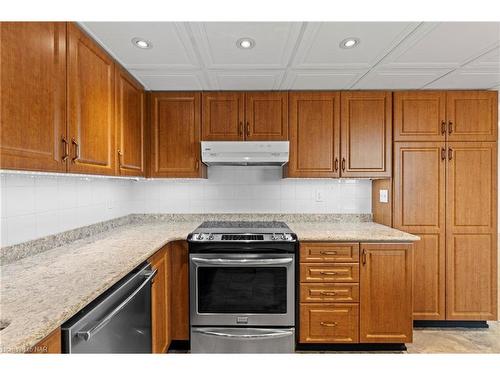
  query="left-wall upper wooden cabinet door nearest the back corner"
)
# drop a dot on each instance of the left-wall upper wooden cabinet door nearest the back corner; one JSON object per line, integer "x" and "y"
{"x": 130, "y": 107}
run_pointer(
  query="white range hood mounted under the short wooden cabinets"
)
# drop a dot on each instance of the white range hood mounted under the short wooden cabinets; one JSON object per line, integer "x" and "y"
{"x": 272, "y": 153}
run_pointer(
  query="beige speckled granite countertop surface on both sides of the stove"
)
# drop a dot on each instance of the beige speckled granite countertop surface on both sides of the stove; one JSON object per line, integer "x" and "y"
{"x": 40, "y": 292}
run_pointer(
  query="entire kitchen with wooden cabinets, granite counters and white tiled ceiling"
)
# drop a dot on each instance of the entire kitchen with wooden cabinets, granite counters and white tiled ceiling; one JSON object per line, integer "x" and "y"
{"x": 249, "y": 187}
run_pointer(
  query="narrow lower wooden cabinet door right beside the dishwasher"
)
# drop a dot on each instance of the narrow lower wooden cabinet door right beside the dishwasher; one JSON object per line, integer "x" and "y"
{"x": 159, "y": 303}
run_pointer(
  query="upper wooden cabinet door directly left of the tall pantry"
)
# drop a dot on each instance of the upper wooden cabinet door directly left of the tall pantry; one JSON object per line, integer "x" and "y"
{"x": 366, "y": 134}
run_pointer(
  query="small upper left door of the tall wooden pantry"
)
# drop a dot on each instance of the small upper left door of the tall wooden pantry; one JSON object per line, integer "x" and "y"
{"x": 420, "y": 116}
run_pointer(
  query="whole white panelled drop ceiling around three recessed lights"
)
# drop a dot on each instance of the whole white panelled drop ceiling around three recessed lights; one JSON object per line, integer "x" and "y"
{"x": 306, "y": 55}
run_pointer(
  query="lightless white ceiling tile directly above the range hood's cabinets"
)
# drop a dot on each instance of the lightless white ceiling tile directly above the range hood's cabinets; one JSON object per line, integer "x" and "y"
{"x": 247, "y": 80}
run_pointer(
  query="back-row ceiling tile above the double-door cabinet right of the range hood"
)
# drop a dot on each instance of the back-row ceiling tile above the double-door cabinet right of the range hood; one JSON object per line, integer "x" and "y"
{"x": 320, "y": 80}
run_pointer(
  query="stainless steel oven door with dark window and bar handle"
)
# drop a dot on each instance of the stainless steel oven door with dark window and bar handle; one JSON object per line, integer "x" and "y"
{"x": 242, "y": 289}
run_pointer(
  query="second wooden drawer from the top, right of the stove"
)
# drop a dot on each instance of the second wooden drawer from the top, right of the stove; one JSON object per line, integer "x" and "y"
{"x": 319, "y": 273}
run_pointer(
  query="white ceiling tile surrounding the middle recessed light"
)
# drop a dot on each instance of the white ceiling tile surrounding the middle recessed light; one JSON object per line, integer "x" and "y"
{"x": 274, "y": 44}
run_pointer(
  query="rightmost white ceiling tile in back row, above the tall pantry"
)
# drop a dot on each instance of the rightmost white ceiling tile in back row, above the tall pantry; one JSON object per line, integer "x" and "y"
{"x": 466, "y": 79}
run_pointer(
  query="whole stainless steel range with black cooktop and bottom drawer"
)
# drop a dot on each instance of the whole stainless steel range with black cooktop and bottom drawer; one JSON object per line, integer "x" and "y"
{"x": 242, "y": 287}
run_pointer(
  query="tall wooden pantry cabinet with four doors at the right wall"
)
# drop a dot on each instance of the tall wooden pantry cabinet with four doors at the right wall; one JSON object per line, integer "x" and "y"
{"x": 445, "y": 191}
